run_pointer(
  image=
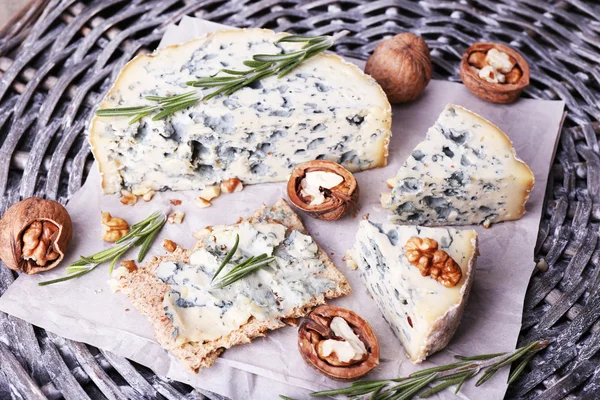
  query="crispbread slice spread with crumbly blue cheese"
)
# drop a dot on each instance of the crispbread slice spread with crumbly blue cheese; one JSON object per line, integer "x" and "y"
{"x": 197, "y": 320}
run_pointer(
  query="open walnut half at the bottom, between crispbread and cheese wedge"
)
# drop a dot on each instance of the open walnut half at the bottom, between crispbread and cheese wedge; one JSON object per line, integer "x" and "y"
{"x": 316, "y": 330}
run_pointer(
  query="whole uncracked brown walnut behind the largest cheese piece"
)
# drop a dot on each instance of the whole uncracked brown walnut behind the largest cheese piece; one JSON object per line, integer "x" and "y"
{"x": 402, "y": 67}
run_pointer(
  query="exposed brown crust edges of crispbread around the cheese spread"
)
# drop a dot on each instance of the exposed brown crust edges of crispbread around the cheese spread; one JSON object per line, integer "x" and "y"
{"x": 146, "y": 292}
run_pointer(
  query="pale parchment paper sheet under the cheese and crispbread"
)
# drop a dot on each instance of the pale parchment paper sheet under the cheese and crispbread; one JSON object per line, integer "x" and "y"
{"x": 86, "y": 310}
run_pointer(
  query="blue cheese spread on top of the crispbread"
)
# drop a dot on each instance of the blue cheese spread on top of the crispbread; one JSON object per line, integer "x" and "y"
{"x": 200, "y": 312}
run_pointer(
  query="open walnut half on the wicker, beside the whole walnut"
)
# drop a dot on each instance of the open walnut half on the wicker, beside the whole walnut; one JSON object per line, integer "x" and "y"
{"x": 494, "y": 72}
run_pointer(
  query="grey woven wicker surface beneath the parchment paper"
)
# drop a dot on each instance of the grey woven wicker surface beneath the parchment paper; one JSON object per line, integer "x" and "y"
{"x": 57, "y": 58}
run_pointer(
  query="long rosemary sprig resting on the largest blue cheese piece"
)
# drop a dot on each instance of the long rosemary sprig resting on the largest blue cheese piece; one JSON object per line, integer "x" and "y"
{"x": 227, "y": 81}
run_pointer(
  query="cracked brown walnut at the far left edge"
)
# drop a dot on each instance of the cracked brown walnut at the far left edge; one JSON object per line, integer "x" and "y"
{"x": 34, "y": 235}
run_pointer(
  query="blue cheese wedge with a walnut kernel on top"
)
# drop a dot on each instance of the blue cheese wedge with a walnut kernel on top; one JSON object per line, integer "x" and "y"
{"x": 422, "y": 312}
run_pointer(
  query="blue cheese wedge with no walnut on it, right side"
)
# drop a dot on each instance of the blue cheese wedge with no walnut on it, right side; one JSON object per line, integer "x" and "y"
{"x": 465, "y": 172}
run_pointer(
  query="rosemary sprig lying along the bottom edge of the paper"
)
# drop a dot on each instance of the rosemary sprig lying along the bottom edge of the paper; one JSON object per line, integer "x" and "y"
{"x": 445, "y": 375}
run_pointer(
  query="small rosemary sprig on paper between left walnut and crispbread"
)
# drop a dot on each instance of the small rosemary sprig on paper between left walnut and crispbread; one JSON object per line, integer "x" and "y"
{"x": 141, "y": 234}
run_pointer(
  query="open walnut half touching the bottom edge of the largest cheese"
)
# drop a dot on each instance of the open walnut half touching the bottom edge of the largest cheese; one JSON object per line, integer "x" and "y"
{"x": 325, "y": 203}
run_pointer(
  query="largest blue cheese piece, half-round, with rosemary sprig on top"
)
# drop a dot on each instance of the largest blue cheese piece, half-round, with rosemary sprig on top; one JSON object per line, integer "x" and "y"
{"x": 324, "y": 109}
